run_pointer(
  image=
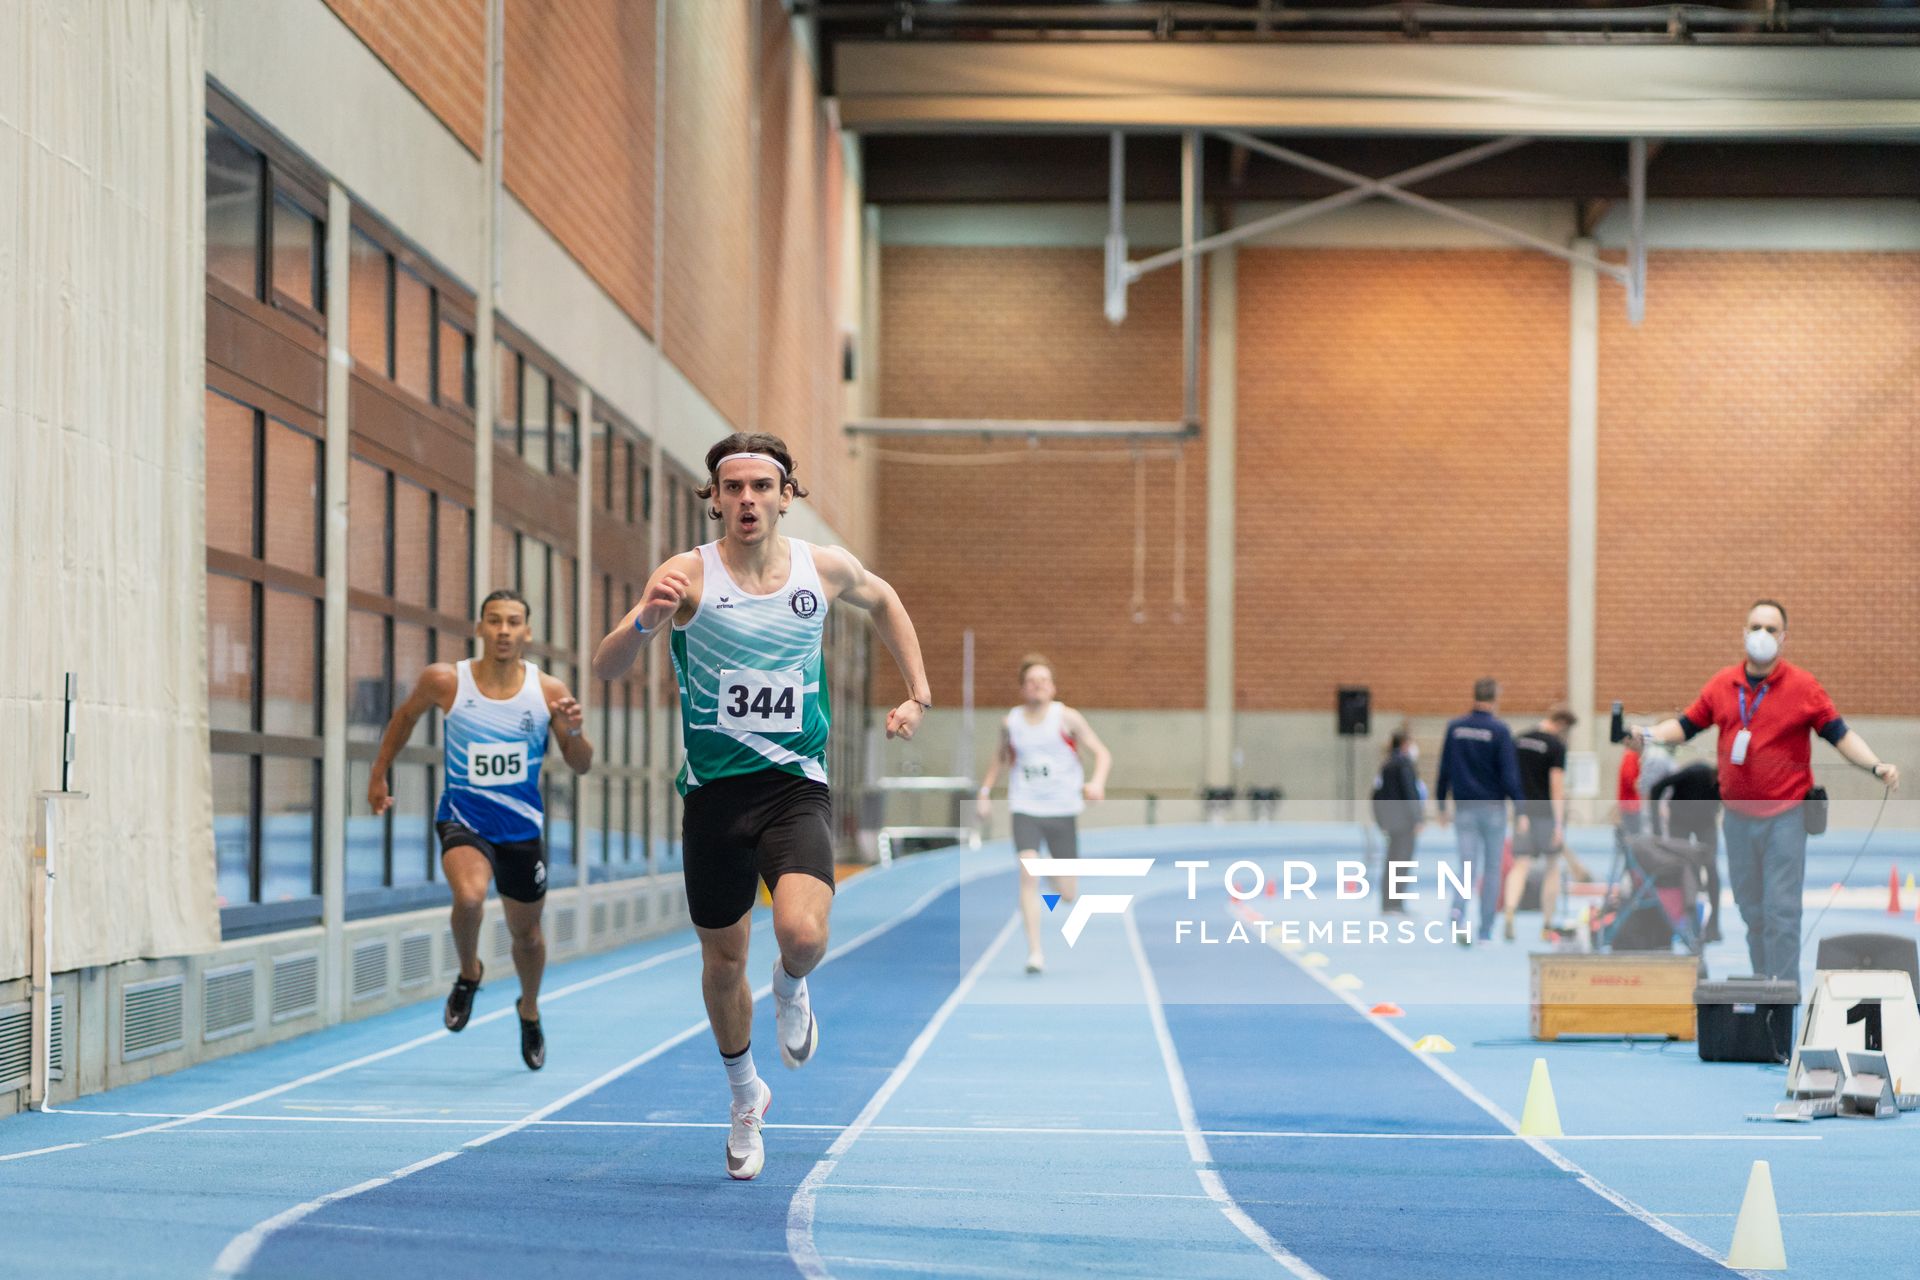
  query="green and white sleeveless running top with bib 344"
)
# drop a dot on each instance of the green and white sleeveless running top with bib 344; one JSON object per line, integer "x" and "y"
{"x": 754, "y": 692}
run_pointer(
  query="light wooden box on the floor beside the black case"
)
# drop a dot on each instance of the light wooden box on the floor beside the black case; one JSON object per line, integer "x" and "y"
{"x": 1614, "y": 995}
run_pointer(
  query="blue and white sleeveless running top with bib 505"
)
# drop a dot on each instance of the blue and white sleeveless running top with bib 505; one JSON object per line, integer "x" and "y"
{"x": 494, "y": 755}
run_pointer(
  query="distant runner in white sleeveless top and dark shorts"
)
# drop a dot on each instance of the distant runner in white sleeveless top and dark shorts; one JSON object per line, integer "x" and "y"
{"x": 1047, "y": 786}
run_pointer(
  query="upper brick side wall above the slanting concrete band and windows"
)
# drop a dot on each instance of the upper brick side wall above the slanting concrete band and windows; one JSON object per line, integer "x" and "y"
{"x": 581, "y": 156}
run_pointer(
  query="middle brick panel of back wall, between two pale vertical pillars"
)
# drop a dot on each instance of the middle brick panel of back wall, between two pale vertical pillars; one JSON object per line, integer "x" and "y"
{"x": 1403, "y": 477}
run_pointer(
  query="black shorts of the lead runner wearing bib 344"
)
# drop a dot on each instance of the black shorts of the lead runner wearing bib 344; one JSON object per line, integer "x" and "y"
{"x": 748, "y": 828}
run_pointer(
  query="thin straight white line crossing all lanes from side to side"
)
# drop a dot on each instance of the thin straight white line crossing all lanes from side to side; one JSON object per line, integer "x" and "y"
{"x": 1024, "y": 1131}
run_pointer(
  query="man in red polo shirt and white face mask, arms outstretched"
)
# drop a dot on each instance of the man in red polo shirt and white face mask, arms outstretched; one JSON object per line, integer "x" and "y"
{"x": 1765, "y": 711}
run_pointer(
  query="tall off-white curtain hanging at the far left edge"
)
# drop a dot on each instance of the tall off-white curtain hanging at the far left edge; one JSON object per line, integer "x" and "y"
{"x": 101, "y": 473}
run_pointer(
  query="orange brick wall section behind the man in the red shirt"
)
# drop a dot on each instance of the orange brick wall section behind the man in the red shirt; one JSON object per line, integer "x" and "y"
{"x": 1758, "y": 440}
